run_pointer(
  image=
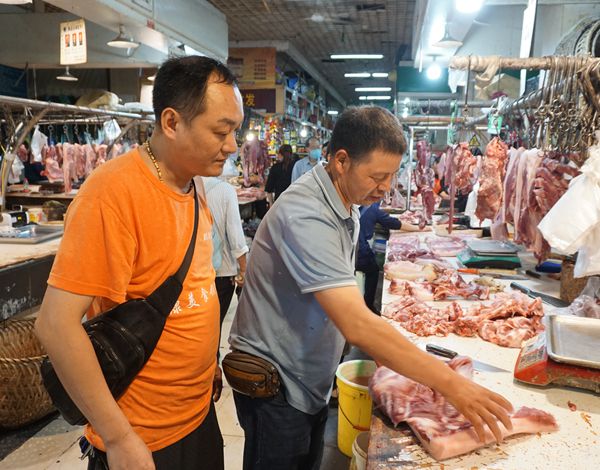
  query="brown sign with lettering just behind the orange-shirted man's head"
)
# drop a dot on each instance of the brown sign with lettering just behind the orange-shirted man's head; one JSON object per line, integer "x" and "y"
{"x": 253, "y": 66}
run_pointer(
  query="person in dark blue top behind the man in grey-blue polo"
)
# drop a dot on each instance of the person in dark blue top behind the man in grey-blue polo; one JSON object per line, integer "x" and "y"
{"x": 365, "y": 259}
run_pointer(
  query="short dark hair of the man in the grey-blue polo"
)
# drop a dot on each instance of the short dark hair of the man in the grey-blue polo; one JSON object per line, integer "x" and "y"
{"x": 362, "y": 129}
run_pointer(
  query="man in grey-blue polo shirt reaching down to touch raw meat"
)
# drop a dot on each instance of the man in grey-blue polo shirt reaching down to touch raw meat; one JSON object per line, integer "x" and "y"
{"x": 301, "y": 303}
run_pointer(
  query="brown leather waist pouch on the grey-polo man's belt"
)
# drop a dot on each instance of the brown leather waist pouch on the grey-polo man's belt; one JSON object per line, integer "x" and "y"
{"x": 251, "y": 375}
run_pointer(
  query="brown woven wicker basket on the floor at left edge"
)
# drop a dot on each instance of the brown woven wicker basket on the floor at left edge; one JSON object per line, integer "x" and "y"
{"x": 23, "y": 398}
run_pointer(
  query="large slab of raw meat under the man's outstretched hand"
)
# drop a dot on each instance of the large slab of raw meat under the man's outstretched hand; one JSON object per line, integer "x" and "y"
{"x": 442, "y": 430}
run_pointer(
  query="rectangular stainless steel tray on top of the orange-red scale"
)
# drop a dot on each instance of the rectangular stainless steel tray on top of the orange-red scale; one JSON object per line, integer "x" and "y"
{"x": 574, "y": 340}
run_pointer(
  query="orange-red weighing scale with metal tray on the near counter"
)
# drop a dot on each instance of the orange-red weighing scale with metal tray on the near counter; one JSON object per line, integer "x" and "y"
{"x": 563, "y": 355}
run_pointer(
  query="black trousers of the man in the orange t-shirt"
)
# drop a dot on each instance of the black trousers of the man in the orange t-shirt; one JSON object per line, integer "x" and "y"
{"x": 202, "y": 449}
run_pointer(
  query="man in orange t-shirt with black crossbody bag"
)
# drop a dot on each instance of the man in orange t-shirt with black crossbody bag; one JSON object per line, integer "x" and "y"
{"x": 125, "y": 232}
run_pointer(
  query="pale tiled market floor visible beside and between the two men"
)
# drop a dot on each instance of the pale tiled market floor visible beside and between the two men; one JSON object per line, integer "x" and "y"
{"x": 55, "y": 446}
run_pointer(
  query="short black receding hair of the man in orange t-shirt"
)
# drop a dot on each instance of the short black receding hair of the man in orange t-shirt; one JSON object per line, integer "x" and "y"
{"x": 181, "y": 84}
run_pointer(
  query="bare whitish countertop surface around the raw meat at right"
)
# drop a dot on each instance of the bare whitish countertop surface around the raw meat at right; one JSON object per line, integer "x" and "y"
{"x": 575, "y": 445}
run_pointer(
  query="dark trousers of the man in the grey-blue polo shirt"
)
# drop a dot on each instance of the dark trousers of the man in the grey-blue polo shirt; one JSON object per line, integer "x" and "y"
{"x": 278, "y": 436}
